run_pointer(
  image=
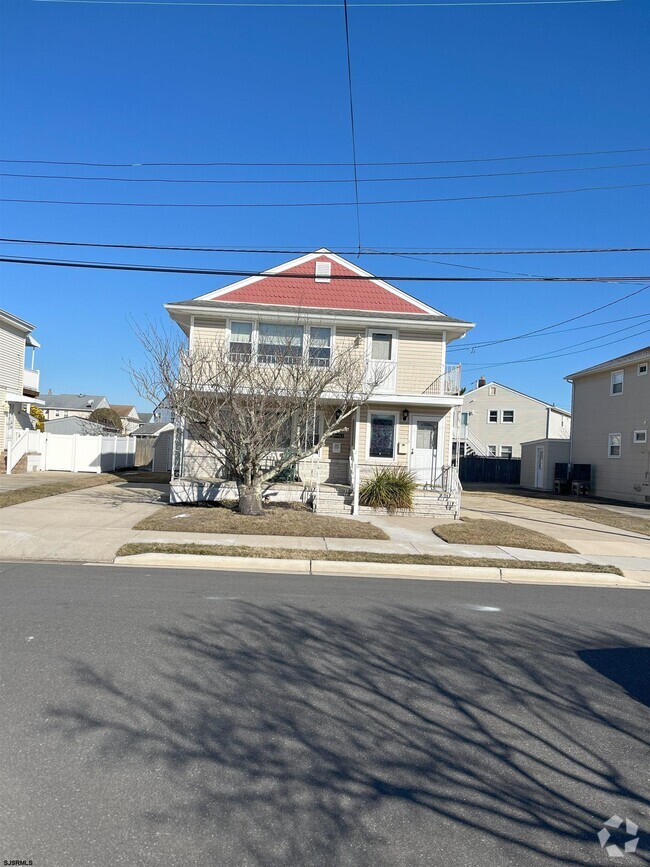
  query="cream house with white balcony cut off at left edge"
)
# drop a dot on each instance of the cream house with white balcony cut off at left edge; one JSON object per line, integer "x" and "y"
{"x": 19, "y": 383}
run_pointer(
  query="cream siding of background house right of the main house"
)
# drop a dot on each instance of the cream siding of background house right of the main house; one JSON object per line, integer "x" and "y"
{"x": 530, "y": 418}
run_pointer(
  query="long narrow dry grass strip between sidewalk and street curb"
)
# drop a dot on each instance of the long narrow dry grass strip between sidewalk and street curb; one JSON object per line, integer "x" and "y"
{"x": 354, "y": 556}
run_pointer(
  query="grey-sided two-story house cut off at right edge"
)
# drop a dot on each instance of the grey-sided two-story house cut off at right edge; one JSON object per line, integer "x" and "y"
{"x": 611, "y": 418}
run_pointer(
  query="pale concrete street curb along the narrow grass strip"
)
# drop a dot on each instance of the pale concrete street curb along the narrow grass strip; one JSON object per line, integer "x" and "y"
{"x": 407, "y": 571}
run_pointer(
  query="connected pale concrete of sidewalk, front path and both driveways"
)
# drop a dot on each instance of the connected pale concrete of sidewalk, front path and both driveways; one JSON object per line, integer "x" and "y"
{"x": 92, "y": 524}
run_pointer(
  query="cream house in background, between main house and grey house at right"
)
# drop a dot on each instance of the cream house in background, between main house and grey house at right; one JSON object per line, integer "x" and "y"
{"x": 495, "y": 420}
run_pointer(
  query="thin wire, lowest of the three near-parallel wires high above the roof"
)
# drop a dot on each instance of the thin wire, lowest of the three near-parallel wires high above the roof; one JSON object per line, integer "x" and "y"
{"x": 319, "y": 204}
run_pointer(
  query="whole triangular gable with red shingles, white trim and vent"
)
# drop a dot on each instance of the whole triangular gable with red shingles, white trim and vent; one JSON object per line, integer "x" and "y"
{"x": 297, "y": 284}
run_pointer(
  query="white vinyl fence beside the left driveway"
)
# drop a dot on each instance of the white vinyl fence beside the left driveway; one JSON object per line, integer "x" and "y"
{"x": 76, "y": 453}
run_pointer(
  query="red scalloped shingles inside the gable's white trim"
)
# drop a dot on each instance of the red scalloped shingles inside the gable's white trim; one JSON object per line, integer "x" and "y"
{"x": 337, "y": 294}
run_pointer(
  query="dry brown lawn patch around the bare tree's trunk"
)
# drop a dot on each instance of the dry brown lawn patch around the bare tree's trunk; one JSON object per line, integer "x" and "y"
{"x": 278, "y": 520}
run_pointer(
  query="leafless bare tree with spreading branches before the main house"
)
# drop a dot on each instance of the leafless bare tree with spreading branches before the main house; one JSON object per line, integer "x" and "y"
{"x": 256, "y": 410}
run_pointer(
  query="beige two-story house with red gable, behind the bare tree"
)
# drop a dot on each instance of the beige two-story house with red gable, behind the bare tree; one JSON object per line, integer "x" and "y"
{"x": 406, "y": 421}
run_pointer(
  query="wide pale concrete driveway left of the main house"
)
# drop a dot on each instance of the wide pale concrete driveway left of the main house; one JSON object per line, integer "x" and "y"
{"x": 90, "y": 524}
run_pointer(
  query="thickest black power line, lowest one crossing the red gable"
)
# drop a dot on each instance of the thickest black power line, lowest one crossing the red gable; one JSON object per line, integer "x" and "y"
{"x": 166, "y": 269}
